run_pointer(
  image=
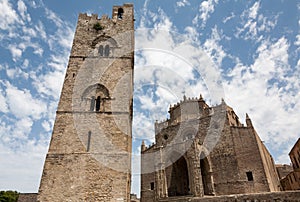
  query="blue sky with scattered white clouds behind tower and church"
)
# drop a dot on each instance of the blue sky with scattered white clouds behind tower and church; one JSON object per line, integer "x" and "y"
{"x": 249, "y": 48}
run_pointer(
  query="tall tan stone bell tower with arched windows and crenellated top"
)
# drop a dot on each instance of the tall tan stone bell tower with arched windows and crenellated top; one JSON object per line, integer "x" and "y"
{"x": 89, "y": 157}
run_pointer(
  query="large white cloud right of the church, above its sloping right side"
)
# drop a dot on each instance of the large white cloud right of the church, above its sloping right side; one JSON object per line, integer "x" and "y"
{"x": 266, "y": 91}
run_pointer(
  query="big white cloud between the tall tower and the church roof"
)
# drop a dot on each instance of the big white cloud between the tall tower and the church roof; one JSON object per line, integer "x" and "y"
{"x": 168, "y": 65}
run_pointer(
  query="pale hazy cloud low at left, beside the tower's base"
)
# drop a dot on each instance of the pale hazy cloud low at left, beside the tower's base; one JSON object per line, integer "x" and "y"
{"x": 21, "y": 170}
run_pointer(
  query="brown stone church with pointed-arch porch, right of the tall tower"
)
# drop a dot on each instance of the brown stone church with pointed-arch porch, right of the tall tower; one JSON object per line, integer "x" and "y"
{"x": 205, "y": 151}
